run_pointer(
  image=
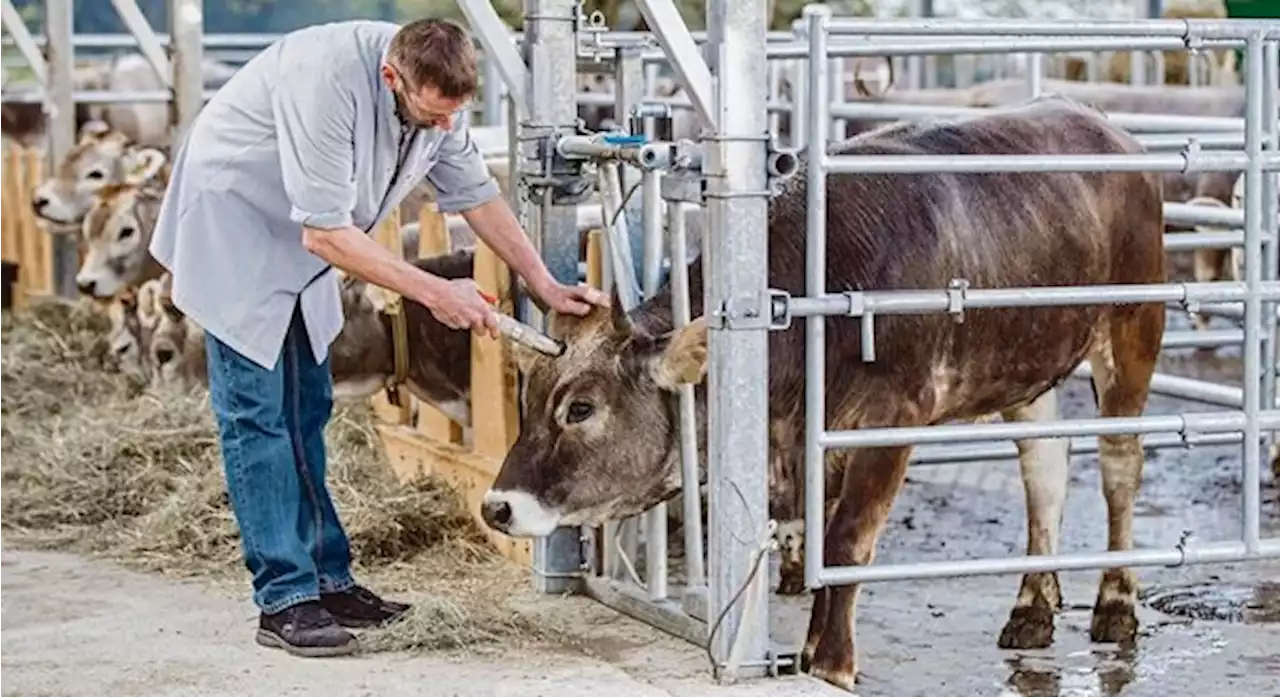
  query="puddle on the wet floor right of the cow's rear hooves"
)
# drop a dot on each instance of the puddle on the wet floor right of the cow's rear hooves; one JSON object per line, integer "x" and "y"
{"x": 1249, "y": 604}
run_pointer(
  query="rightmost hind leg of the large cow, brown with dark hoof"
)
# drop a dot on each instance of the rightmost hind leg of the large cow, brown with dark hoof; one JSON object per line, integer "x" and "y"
{"x": 1123, "y": 361}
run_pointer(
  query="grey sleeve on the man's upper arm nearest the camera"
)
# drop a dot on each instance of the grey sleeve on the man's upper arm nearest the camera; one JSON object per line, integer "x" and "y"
{"x": 316, "y": 116}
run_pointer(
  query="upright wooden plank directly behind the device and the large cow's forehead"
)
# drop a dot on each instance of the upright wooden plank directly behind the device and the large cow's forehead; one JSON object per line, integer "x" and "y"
{"x": 495, "y": 416}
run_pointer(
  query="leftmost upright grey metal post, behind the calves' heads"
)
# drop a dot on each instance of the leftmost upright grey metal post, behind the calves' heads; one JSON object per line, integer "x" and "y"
{"x": 61, "y": 109}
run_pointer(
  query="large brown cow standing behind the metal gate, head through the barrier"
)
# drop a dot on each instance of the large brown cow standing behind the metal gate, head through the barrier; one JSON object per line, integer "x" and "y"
{"x": 598, "y": 442}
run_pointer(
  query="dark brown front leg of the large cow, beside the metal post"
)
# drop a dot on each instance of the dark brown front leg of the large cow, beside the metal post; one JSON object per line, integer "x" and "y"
{"x": 872, "y": 483}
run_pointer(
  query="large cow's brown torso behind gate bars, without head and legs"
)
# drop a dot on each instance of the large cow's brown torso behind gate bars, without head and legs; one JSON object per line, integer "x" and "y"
{"x": 995, "y": 231}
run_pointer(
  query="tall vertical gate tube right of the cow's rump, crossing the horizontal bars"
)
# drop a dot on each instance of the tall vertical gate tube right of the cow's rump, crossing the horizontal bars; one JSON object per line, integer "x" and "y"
{"x": 1251, "y": 499}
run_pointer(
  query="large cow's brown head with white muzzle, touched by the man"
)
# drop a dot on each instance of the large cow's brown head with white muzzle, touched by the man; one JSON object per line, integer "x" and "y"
{"x": 598, "y": 441}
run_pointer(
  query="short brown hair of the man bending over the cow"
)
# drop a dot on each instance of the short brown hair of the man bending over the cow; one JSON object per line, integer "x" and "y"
{"x": 438, "y": 53}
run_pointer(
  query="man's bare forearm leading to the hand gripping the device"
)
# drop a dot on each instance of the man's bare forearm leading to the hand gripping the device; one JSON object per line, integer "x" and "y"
{"x": 359, "y": 255}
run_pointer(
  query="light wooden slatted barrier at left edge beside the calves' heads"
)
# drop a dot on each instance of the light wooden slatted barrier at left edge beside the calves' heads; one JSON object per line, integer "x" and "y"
{"x": 22, "y": 242}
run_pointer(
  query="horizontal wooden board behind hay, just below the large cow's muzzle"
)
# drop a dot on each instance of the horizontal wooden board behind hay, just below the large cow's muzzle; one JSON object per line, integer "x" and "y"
{"x": 469, "y": 474}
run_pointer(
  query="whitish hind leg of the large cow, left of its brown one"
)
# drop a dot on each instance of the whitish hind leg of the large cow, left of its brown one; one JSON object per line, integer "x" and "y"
{"x": 1045, "y": 479}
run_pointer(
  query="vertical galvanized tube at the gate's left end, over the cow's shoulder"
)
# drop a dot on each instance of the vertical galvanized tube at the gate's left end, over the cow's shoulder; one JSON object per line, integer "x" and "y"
{"x": 817, "y": 19}
